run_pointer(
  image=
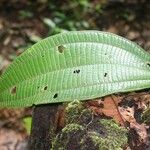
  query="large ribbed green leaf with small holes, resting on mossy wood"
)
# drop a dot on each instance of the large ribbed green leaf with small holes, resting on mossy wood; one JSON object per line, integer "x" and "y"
{"x": 75, "y": 65}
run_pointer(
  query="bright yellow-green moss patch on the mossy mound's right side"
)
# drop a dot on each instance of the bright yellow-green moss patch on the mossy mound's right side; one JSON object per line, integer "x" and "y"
{"x": 115, "y": 139}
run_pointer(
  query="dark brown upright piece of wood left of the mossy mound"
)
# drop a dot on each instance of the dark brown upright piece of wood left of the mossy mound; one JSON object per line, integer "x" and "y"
{"x": 43, "y": 122}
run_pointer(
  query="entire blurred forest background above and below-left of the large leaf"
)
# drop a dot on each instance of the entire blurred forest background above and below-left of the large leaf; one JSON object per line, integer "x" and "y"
{"x": 25, "y": 22}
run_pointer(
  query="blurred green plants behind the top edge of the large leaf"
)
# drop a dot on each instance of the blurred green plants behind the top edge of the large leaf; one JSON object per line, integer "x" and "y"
{"x": 71, "y": 15}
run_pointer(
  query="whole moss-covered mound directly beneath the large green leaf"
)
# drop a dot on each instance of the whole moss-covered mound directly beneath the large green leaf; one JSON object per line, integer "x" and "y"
{"x": 89, "y": 132}
